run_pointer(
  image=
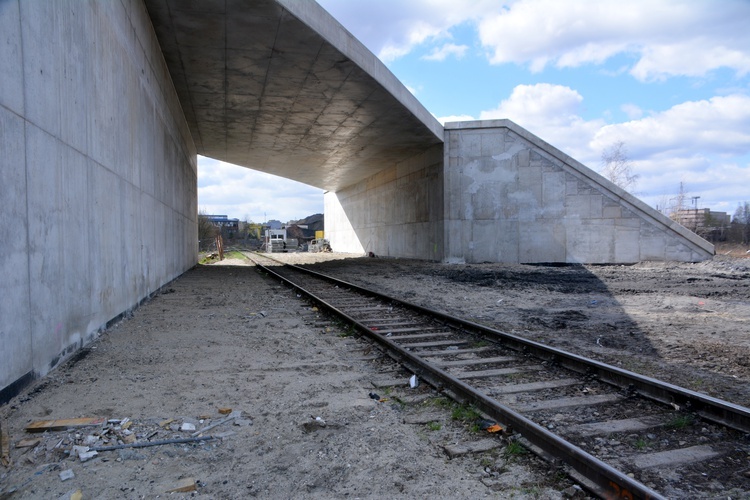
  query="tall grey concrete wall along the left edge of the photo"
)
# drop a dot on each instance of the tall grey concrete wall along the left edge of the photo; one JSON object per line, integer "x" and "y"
{"x": 98, "y": 175}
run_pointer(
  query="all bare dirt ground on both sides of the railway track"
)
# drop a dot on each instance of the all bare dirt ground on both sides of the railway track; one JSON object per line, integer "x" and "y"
{"x": 226, "y": 337}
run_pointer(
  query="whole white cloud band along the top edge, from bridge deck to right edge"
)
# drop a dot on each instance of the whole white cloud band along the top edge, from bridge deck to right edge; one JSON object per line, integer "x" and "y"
{"x": 665, "y": 38}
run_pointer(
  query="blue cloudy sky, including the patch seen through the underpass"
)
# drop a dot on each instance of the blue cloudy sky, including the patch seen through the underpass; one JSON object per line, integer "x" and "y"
{"x": 670, "y": 79}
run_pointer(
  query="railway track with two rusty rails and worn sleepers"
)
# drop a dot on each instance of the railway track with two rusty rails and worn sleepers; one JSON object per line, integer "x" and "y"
{"x": 620, "y": 434}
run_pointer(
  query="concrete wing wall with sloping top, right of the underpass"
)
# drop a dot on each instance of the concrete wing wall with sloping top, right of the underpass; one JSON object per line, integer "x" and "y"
{"x": 511, "y": 197}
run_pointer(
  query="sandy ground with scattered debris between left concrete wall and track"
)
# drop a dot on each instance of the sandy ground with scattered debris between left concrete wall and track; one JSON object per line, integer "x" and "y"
{"x": 227, "y": 338}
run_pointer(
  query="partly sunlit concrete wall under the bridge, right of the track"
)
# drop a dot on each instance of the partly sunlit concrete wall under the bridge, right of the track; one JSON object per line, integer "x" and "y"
{"x": 395, "y": 213}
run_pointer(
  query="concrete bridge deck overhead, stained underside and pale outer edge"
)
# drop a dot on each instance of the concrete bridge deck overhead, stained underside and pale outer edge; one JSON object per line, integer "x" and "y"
{"x": 281, "y": 87}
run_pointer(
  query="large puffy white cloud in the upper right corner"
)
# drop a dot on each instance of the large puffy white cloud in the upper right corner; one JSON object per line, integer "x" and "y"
{"x": 668, "y": 38}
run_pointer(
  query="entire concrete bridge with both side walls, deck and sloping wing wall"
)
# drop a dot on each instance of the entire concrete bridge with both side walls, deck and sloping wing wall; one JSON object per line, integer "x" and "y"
{"x": 104, "y": 106}
